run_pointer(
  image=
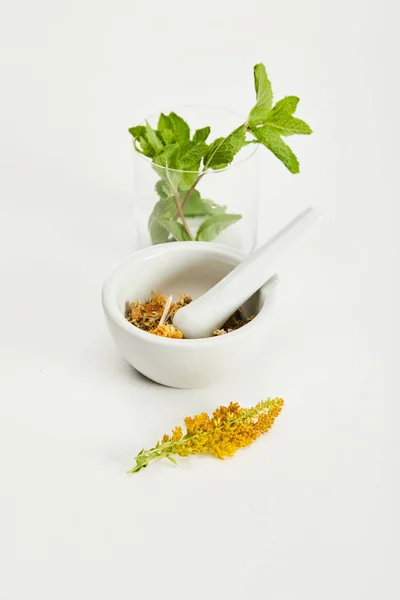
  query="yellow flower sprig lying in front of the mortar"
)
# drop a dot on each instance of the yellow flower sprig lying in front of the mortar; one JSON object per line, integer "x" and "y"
{"x": 223, "y": 434}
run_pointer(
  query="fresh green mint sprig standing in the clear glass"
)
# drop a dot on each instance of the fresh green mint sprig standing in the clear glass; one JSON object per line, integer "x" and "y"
{"x": 181, "y": 161}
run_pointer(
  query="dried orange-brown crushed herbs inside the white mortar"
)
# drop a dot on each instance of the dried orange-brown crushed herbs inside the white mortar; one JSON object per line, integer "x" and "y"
{"x": 155, "y": 316}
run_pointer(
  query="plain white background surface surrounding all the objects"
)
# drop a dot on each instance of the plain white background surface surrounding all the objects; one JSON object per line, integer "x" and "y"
{"x": 308, "y": 512}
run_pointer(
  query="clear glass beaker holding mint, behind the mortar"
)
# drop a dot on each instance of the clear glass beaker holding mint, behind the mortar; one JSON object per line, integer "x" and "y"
{"x": 217, "y": 205}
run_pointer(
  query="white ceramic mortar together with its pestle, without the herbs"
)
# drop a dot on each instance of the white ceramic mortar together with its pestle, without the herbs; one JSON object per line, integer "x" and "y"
{"x": 220, "y": 280}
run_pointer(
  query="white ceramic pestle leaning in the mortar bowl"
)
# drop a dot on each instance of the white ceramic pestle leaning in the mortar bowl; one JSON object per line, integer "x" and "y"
{"x": 199, "y": 318}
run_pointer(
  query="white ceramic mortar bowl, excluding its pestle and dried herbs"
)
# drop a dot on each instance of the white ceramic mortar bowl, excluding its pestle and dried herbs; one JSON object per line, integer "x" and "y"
{"x": 194, "y": 267}
